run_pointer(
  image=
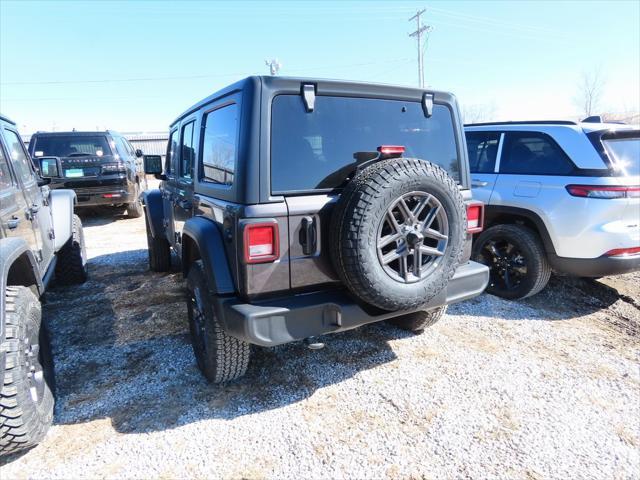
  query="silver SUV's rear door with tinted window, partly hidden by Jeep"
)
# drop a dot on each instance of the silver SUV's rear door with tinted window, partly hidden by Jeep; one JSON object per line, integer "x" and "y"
{"x": 484, "y": 150}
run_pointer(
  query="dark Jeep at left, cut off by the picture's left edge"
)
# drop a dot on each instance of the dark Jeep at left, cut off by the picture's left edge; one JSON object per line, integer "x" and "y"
{"x": 40, "y": 240}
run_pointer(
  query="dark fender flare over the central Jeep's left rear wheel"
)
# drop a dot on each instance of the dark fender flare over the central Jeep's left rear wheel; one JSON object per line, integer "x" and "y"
{"x": 207, "y": 237}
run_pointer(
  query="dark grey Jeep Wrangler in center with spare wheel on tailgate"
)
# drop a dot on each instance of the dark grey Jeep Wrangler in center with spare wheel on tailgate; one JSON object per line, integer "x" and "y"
{"x": 304, "y": 207}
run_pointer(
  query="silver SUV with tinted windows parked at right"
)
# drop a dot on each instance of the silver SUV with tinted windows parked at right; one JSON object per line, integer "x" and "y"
{"x": 559, "y": 195}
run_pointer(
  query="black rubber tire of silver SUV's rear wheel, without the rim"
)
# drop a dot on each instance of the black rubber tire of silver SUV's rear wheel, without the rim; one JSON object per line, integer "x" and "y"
{"x": 538, "y": 270}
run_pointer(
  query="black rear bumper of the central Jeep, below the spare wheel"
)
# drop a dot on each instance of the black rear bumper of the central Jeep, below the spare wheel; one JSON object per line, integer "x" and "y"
{"x": 280, "y": 321}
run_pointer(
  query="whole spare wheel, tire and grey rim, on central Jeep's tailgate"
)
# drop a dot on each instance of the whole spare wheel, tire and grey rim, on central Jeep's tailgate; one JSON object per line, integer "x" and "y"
{"x": 398, "y": 233}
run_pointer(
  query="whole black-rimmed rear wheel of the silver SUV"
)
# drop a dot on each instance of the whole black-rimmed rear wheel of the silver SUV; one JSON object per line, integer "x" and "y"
{"x": 516, "y": 259}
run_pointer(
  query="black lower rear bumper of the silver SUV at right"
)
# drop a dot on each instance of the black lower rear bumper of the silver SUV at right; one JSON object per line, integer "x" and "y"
{"x": 595, "y": 267}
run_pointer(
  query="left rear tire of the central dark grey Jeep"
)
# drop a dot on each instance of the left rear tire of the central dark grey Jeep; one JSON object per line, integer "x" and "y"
{"x": 220, "y": 356}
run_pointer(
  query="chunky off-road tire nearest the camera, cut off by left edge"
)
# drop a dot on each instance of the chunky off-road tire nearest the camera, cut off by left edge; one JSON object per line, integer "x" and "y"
{"x": 24, "y": 421}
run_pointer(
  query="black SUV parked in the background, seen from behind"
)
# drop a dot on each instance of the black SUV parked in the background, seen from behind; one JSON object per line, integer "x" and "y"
{"x": 101, "y": 167}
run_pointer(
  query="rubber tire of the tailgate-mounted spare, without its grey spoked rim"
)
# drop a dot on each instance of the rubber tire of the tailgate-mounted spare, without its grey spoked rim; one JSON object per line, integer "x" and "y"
{"x": 356, "y": 219}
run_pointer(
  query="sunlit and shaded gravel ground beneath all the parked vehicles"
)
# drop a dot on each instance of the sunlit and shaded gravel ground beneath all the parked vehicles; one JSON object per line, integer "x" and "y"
{"x": 543, "y": 388}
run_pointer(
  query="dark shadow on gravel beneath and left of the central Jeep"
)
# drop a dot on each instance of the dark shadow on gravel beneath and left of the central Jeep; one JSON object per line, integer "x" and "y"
{"x": 122, "y": 351}
